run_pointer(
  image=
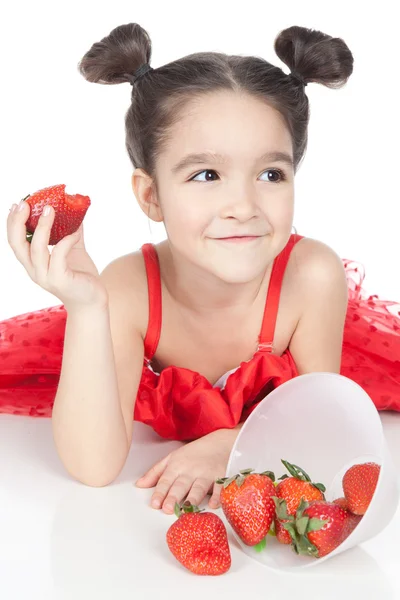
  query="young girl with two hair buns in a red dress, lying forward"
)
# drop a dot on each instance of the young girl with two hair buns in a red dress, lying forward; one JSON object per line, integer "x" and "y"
{"x": 189, "y": 335}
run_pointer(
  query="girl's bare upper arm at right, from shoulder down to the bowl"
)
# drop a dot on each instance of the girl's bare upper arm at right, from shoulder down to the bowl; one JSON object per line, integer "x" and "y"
{"x": 316, "y": 344}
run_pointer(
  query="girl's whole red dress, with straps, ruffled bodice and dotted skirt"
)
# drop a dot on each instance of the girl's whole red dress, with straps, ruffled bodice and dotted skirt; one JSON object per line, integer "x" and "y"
{"x": 182, "y": 404}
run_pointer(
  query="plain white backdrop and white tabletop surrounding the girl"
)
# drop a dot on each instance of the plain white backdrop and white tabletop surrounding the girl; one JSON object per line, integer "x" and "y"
{"x": 61, "y": 540}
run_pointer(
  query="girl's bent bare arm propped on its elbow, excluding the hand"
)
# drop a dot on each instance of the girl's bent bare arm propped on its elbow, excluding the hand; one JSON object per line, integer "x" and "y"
{"x": 101, "y": 368}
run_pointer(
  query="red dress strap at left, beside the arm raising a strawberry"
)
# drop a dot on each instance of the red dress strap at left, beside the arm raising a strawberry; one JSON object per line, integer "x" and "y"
{"x": 155, "y": 305}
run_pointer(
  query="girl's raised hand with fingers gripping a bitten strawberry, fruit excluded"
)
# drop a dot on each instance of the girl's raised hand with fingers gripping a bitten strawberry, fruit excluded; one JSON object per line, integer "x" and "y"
{"x": 69, "y": 273}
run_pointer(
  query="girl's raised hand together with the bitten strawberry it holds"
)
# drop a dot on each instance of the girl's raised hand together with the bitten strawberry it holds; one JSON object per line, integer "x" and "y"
{"x": 68, "y": 271}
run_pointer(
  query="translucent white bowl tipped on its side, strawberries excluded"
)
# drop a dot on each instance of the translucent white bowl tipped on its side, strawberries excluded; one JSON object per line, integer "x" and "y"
{"x": 325, "y": 423}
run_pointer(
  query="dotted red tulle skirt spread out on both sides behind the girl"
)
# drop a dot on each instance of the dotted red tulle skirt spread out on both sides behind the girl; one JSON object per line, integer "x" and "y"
{"x": 31, "y": 347}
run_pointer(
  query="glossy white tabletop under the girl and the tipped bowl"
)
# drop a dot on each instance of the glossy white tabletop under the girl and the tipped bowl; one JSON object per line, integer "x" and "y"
{"x": 60, "y": 539}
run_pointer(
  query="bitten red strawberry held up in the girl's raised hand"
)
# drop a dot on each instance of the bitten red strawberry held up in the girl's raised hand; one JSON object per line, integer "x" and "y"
{"x": 70, "y": 210}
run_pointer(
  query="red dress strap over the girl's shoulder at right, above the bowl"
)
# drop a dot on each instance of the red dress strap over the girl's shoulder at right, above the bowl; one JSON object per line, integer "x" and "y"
{"x": 266, "y": 337}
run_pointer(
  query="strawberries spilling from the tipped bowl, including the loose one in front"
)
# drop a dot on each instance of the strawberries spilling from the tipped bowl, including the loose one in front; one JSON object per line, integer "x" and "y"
{"x": 294, "y": 510}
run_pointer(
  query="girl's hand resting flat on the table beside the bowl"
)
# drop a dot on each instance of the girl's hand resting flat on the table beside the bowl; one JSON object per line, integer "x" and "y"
{"x": 191, "y": 469}
